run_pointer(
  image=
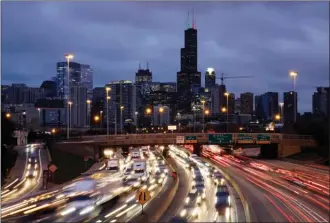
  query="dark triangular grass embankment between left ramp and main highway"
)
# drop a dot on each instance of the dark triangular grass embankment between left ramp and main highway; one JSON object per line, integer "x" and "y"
{"x": 69, "y": 166}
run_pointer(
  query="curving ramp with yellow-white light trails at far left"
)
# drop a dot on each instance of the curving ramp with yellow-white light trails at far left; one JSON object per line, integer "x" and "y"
{"x": 31, "y": 177}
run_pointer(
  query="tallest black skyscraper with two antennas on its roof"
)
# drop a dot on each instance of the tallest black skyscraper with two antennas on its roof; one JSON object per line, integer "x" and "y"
{"x": 188, "y": 79}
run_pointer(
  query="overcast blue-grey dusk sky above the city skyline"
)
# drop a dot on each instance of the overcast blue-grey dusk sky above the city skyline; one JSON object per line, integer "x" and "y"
{"x": 264, "y": 40}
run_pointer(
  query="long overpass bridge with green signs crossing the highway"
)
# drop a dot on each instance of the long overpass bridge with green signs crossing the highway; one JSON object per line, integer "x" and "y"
{"x": 281, "y": 144}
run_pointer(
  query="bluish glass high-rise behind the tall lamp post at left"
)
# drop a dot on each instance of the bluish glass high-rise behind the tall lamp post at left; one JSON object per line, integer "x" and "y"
{"x": 62, "y": 77}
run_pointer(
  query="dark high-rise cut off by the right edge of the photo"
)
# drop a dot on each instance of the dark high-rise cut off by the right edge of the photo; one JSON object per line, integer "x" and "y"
{"x": 321, "y": 101}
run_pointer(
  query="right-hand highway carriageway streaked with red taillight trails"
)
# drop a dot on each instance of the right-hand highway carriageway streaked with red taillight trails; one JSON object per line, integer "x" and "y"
{"x": 275, "y": 194}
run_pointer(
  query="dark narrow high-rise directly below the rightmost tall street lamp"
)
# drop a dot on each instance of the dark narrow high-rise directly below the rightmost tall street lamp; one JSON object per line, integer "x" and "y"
{"x": 290, "y": 106}
